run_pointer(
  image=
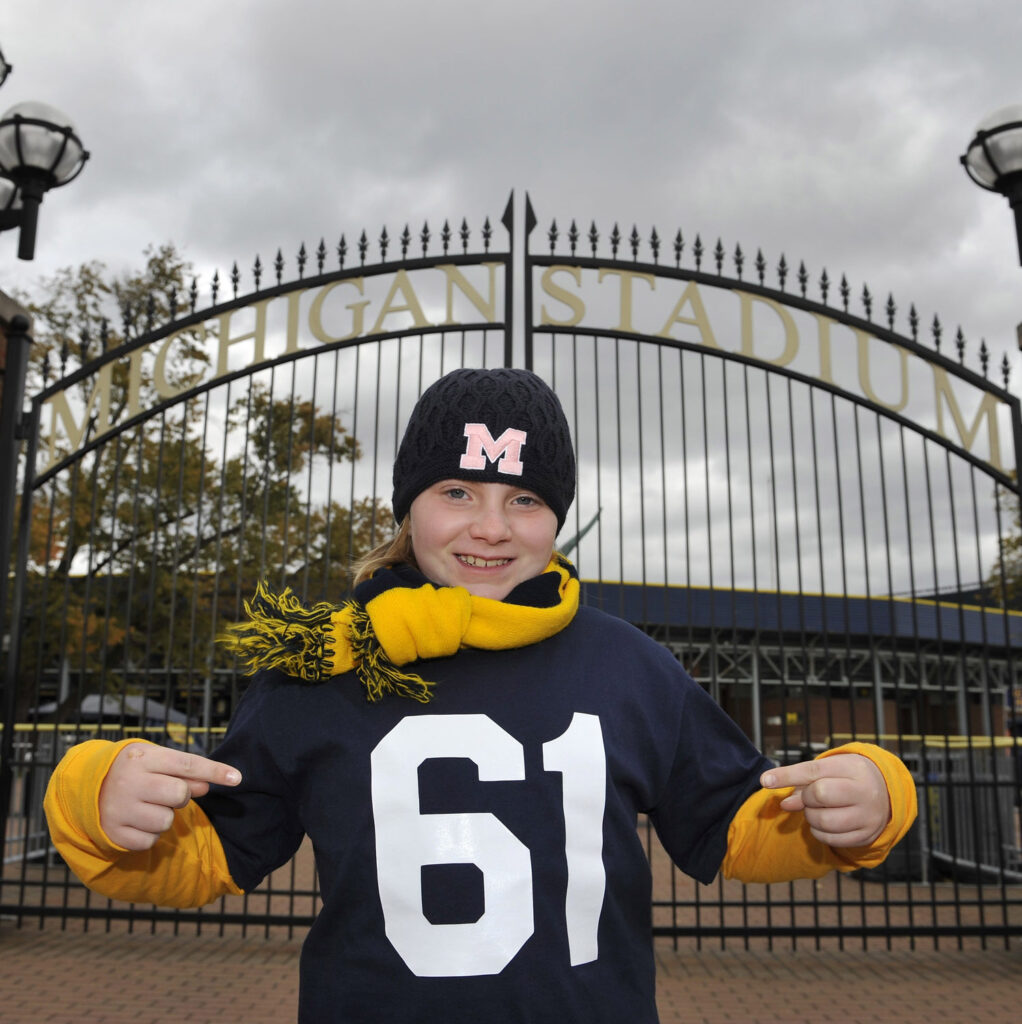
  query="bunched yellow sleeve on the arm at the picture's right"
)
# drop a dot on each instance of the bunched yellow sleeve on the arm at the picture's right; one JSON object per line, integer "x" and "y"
{"x": 766, "y": 844}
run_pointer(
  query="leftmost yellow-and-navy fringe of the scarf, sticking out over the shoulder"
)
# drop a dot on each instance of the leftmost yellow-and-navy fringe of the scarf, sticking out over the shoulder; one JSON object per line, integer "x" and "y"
{"x": 282, "y": 633}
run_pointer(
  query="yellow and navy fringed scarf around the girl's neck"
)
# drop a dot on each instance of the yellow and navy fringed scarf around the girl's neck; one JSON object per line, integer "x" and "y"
{"x": 397, "y": 618}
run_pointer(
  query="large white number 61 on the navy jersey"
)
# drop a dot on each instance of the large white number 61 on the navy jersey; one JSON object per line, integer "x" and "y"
{"x": 406, "y": 840}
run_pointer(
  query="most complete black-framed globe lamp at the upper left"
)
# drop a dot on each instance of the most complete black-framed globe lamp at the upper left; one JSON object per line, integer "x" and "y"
{"x": 39, "y": 151}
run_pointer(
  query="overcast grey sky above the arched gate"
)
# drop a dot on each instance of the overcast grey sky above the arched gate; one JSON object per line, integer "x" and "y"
{"x": 829, "y": 133}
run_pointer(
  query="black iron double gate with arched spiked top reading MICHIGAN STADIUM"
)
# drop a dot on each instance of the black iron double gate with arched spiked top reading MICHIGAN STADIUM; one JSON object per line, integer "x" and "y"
{"x": 819, "y": 516}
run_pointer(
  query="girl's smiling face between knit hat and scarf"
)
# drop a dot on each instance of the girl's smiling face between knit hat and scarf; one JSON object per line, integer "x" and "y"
{"x": 487, "y": 538}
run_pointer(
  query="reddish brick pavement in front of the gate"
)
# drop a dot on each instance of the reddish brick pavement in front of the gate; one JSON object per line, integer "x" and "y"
{"x": 68, "y": 977}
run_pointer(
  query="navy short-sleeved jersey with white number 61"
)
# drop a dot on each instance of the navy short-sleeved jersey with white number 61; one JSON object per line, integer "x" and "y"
{"x": 479, "y": 856}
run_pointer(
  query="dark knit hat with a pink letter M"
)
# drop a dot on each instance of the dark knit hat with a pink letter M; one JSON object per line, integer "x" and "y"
{"x": 498, "y": 426}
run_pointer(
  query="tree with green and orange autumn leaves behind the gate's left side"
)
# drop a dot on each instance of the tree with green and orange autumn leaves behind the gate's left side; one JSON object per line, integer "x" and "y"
{"x": 144, "y": 546}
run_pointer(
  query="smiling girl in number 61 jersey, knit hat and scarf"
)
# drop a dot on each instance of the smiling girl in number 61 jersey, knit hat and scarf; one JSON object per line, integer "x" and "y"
{"x": 469, "y": 750}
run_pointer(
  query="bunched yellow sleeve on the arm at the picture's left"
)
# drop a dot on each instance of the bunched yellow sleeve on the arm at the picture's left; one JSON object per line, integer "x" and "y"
{"x": 187, "y": 867}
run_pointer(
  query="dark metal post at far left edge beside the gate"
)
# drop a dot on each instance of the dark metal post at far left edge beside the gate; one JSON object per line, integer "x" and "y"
{"x": 19, "y": 344}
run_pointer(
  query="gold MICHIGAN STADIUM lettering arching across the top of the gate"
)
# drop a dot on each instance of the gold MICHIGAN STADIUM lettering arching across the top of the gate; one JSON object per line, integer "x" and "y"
{"x": 564, "y": 287}
